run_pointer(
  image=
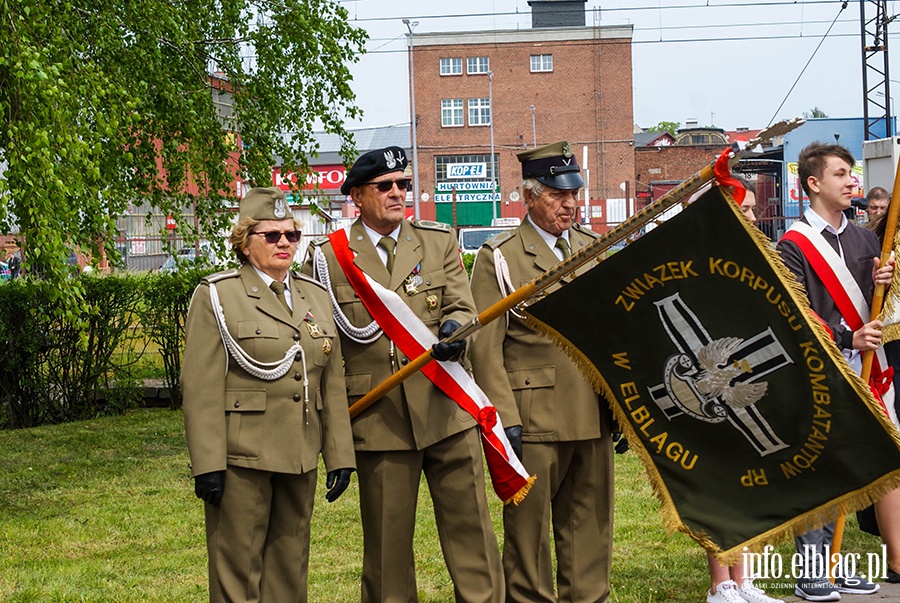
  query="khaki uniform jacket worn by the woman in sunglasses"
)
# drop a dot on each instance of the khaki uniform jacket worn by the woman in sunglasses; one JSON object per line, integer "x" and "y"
{"x": 234, "y": 418}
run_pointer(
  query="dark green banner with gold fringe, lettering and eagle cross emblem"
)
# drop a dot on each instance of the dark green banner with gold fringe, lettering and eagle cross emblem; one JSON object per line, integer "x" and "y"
{"x": 749, "y": 421}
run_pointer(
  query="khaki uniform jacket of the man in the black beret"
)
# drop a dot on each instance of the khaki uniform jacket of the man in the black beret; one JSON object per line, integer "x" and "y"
{"x": 415, "y": 414}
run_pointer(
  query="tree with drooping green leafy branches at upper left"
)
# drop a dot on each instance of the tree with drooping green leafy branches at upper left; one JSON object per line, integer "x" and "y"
{"x": 110, "y": 105}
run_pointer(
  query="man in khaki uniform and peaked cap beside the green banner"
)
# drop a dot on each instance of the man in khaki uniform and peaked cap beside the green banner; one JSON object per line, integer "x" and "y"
{"x": 550, "y": 411}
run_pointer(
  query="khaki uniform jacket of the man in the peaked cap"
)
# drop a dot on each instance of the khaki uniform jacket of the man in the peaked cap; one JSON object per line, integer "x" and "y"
{"x": 527, "y": 377}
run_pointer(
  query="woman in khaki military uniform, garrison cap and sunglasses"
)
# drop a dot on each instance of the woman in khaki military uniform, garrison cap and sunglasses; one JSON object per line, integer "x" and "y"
{"x": 264, "y": 394}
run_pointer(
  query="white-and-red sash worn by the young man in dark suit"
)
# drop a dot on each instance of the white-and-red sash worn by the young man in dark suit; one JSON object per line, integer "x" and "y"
{"x": 849, "y": 299}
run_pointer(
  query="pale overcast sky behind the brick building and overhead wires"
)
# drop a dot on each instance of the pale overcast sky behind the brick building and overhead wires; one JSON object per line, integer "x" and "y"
{"x": 728, "y": 63}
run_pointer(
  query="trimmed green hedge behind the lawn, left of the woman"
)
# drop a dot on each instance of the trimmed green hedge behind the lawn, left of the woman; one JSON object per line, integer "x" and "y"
{"x": 57, "y": 367}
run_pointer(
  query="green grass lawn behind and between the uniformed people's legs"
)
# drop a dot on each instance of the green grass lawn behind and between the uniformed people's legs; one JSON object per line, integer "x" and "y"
{"x": 103, "y": 511}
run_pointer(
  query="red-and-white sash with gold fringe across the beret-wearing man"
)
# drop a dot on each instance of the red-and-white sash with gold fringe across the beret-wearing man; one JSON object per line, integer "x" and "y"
{"x": 414, "y": 338}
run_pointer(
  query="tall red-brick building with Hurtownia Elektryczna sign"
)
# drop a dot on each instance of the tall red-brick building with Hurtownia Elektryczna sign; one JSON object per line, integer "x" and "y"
{"x": 511, "y": 90}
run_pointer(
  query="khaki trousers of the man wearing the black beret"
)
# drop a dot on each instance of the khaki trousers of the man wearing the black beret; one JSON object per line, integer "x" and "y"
{"x": 389, "y": 484}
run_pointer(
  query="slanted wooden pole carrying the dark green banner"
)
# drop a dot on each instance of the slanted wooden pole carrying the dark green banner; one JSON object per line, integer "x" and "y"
{"x": 591, "y": 252}
